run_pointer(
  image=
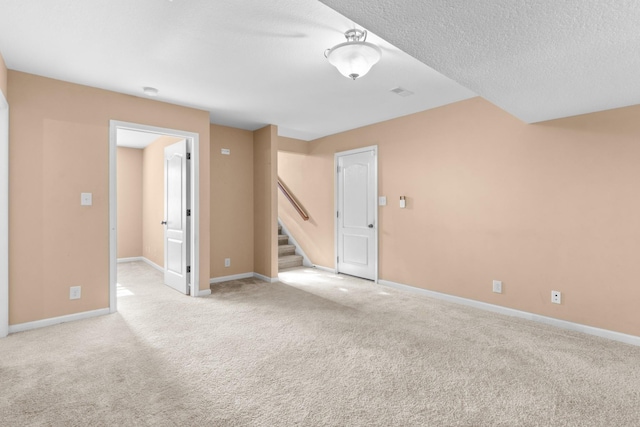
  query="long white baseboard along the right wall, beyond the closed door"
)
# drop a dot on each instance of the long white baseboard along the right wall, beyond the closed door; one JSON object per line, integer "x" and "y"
{"x": 563, "y": 324}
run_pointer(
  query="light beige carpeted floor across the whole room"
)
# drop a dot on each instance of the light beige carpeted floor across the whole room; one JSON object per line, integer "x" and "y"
{"x": 314, "y": 350}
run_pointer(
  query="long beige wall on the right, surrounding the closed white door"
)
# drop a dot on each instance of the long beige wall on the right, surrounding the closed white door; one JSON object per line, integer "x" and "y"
{"x": 550, "y": 206}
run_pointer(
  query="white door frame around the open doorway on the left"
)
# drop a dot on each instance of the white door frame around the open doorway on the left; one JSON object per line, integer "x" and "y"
{"x": 194, "y": 203}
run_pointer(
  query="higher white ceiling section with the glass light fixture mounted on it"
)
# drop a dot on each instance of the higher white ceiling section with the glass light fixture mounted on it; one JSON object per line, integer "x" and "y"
{"x": 249, "y": 63}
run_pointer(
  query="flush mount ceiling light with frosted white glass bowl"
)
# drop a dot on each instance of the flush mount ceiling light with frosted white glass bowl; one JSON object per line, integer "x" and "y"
{"x": 355, "y": 57}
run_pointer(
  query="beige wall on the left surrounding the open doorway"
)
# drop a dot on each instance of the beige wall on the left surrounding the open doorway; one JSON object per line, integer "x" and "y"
{"x": 59, "y": 145}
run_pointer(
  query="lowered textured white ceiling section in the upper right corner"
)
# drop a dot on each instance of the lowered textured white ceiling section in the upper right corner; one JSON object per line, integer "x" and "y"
{"x": 536, "y": 59}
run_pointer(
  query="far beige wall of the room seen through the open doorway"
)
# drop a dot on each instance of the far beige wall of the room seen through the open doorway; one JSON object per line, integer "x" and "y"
{"x": 129, "y": 202}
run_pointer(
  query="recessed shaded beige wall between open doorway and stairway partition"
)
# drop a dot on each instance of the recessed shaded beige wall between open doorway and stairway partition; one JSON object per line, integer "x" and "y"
{"x": 231, "y": 201}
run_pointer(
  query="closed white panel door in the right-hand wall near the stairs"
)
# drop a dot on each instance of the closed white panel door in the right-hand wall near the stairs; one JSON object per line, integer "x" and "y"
{"x": 357, "y": 214}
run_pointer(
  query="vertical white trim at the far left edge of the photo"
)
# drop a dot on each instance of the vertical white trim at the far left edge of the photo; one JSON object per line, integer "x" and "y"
{"x": 4, "y": 216}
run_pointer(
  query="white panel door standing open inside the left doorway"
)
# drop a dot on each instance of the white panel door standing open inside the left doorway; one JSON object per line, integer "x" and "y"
{"x": 176, "y": 217}
